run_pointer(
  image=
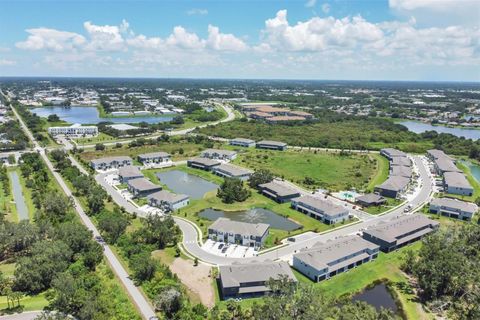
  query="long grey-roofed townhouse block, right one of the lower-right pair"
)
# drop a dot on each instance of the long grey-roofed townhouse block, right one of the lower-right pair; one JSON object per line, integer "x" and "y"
{"x": 400, "y": 231}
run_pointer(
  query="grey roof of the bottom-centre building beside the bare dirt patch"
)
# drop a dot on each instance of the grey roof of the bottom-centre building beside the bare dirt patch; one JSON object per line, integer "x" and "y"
{"x": 235, "y": 274}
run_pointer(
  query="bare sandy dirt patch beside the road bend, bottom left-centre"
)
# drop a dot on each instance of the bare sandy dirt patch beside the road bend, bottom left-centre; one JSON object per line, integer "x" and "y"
{"x": 196, "y": 279}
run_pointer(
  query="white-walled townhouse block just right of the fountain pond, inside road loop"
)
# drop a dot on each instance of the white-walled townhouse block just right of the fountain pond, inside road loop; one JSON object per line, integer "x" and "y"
{"x": 320, "y": 209}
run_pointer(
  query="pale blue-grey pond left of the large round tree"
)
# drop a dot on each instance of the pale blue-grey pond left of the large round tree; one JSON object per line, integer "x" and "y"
{"x": 185, "y": 183}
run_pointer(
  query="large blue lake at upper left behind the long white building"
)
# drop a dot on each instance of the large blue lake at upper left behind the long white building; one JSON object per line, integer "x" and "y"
{"x": 90, "y": 115}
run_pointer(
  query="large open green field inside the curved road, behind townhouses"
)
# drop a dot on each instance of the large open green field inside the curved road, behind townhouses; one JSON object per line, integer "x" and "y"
{"x": 328, "y": 170}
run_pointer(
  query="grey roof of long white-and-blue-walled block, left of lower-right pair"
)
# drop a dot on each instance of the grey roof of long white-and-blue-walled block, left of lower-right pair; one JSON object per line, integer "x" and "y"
{"x": 322, "y": 255}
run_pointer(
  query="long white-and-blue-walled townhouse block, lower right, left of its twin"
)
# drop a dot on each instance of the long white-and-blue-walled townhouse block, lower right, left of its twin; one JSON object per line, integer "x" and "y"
{"x": 325, "y": 260}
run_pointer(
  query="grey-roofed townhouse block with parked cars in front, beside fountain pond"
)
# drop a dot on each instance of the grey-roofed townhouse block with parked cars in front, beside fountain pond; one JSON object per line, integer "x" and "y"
{"x": 243, "y": 233}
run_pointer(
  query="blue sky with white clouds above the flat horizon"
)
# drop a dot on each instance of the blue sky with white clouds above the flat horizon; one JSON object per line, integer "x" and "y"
{"x": 422, "y": 40}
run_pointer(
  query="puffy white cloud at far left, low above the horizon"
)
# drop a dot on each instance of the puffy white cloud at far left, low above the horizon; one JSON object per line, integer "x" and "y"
{"x": 51, "y": 39}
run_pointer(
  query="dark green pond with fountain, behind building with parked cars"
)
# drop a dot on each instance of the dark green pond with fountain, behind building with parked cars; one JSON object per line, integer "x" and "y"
{"x": 255, "y": 215}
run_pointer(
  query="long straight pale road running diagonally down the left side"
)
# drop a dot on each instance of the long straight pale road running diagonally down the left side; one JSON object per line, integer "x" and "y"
{"x": 140, "y": 301}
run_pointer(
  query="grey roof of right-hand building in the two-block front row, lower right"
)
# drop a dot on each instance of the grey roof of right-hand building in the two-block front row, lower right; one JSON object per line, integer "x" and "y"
{"x": 393, "y": 229}
